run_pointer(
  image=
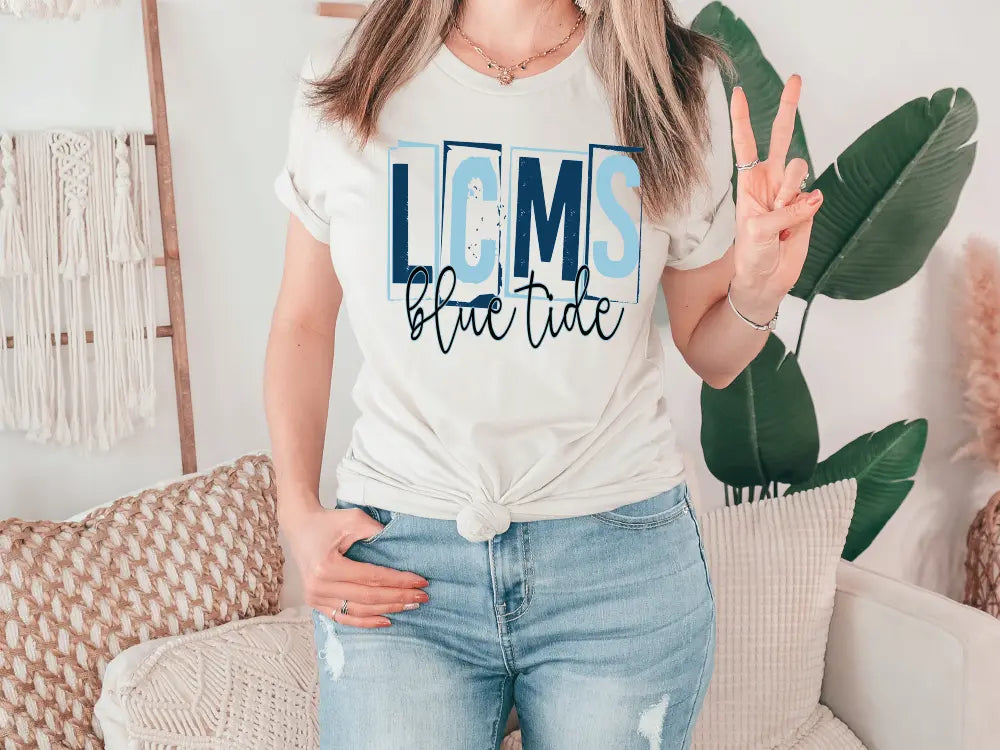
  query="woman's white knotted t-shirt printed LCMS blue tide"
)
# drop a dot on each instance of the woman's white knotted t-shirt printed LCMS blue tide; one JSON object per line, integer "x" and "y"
{"x": 533, "y": 387}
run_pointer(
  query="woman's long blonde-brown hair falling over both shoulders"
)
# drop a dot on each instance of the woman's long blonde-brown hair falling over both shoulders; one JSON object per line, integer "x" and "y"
{"x": 652, "y": 68}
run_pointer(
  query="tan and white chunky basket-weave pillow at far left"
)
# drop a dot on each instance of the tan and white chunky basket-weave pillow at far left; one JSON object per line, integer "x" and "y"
{"x": 175, "y": 559}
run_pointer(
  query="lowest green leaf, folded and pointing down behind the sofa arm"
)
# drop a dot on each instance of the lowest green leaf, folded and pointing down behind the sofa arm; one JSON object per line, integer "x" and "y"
{"x": 883, "y": 463}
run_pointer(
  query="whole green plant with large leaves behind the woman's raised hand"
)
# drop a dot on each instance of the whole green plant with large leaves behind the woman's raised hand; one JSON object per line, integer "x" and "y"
{"x": 887, "y": 199}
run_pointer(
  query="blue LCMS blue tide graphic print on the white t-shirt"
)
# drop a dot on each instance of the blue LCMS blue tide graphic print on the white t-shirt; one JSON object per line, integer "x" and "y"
{"x": 570, "y": 246}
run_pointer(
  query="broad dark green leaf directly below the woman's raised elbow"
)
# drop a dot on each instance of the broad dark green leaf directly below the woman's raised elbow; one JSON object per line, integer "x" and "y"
{"x": 762, "y": 427}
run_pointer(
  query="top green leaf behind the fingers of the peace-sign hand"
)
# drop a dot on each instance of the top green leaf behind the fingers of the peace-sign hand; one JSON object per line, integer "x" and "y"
{"x": 755, "y": 74}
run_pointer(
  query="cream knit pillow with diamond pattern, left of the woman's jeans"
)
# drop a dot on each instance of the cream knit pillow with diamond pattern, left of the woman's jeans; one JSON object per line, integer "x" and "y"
{"x": 246, "y": 685}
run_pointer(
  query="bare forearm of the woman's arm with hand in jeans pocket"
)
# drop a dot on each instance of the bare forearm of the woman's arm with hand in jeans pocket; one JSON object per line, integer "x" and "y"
{"x": 298, "y": 372}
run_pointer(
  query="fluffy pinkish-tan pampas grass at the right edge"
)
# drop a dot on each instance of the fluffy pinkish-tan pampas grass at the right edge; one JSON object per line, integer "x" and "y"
{"x": 979, "y": 333}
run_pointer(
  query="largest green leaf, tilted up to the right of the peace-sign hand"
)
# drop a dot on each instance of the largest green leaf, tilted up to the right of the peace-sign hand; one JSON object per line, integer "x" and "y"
{"x": 888, "y": 198}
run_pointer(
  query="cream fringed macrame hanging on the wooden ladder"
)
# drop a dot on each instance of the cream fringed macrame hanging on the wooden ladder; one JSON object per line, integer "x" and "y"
{"x": 74, "y": 259}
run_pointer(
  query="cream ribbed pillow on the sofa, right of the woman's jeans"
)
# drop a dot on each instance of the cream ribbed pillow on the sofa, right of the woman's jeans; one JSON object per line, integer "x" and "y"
{"x": 773, "y": 567}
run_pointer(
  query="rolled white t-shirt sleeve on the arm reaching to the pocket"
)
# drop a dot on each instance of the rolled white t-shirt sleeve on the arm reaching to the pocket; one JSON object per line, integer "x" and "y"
{"x": 301, "y": 185}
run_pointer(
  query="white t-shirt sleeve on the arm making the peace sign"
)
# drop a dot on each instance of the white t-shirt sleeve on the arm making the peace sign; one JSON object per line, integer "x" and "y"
{"x": 707, "y": 231}
